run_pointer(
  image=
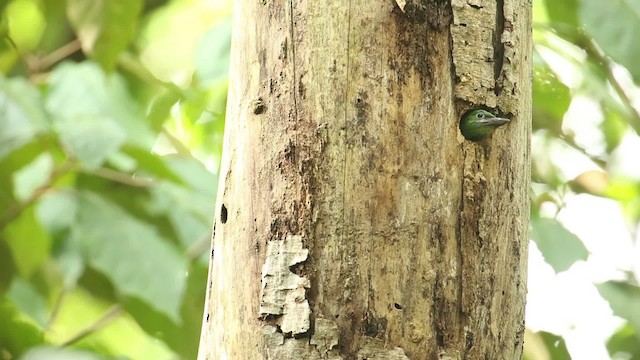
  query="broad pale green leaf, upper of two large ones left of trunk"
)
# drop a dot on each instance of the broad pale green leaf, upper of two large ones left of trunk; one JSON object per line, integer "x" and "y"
{"x": 83, "y": 90}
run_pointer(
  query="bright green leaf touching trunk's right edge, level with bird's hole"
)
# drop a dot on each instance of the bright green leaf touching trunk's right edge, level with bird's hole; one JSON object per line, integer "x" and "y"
{"x": 551, "y": 97}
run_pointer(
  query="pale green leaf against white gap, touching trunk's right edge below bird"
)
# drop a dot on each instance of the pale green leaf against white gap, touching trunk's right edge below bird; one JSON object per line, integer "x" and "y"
{"x": 559, "y": 247}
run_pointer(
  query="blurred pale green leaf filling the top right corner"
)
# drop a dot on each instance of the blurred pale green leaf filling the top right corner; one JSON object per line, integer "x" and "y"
{"x": 613, "y": 25}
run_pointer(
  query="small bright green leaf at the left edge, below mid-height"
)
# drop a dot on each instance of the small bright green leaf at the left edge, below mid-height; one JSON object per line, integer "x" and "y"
{"x": 29, "y": 242}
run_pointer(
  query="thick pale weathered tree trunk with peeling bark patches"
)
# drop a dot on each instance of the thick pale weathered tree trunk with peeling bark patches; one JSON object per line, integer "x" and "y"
{"x": 353, "y": 219}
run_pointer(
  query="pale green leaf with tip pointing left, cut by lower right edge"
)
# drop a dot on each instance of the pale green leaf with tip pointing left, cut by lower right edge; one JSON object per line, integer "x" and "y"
{"x": 623, "y": 299}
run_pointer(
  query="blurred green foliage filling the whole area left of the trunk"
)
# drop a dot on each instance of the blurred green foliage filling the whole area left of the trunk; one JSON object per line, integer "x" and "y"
{"x": 111, "y": 124}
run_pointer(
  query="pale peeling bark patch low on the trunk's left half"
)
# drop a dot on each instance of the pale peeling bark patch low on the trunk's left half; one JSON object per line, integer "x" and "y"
{"x": 283, "y": 292}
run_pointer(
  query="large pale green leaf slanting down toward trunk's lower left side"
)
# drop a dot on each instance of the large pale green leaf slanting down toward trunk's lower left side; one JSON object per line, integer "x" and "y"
{"x": 131, "y": 254}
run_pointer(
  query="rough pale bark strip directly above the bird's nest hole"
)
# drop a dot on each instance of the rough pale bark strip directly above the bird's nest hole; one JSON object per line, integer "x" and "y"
{"x": 472, "y": 33}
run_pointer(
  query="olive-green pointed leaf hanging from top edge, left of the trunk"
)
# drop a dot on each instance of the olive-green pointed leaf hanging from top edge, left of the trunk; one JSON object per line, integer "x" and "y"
{"x": 104, "y": 28}
